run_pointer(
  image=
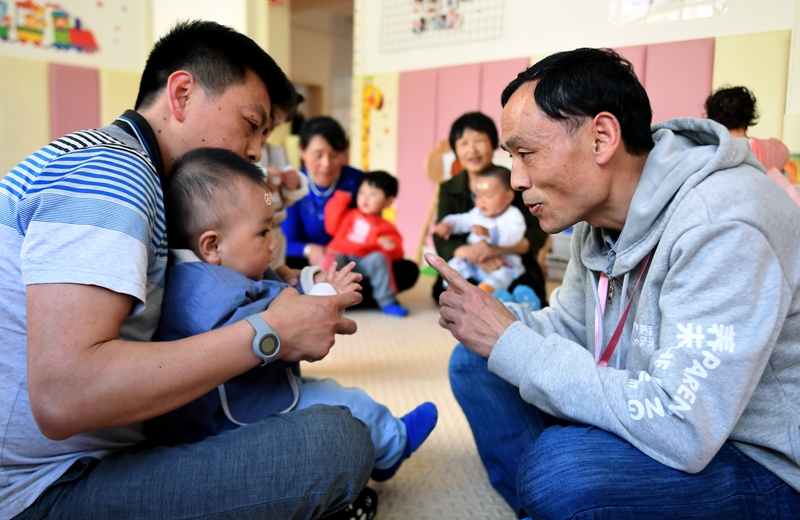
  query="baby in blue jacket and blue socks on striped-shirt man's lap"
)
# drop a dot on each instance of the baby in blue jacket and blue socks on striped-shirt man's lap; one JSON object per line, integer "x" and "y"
{"x": 220, "y": 216}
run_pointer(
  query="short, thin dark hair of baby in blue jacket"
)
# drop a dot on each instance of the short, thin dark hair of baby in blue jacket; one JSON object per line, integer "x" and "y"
{"x": 201, "y": 186}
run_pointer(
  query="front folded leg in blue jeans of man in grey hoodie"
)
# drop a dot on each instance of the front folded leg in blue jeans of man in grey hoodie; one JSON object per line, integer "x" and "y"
{"x": 580, "y": 472}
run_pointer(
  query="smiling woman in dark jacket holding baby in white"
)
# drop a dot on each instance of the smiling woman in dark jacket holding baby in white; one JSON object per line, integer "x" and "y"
{"x": 473, "y": 138}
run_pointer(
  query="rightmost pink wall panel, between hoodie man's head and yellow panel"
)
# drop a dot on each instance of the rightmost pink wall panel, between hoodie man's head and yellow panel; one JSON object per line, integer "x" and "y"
{"x": 678, "y": 77}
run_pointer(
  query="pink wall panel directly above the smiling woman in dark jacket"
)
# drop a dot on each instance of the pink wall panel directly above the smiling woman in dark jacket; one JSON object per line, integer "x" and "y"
{"x": 458, "y": 91}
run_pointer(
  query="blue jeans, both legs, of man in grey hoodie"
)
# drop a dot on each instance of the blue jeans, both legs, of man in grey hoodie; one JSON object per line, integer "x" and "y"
{"x": 582, "y": 472}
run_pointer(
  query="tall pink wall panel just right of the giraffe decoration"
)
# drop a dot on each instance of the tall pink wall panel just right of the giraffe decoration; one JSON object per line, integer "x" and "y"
{"x": 416, "y": 136}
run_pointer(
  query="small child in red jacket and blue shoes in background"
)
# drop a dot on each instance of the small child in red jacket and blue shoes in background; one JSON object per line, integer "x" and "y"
{"x": 362, "y": 236}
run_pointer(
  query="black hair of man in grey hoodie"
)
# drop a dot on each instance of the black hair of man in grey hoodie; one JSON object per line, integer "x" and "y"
{"x": 574, "y": 85}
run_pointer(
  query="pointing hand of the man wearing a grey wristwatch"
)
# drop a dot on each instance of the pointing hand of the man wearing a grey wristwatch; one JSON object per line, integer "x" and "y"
{"x": 307, "y": 325}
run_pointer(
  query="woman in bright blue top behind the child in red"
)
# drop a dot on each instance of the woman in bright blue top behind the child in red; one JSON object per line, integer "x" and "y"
{"x": 324, "y": 152}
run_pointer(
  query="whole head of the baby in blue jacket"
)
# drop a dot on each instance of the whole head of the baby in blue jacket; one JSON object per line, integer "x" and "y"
{"x": 218, "y": 205}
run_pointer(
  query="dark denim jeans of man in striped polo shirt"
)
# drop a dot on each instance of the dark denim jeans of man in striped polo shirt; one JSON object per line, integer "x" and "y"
{"x": 299, "y": 465}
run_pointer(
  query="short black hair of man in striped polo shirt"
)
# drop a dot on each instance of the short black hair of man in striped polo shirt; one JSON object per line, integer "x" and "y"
{"x": 217, "y": 57}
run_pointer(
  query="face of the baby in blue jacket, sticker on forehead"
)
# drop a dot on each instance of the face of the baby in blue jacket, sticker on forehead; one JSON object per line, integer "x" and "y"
{"x": 247, "y": 244}
